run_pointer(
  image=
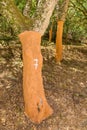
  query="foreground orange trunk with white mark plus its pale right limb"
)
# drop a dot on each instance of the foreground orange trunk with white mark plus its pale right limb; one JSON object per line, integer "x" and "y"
{"x": 36, "y": 106}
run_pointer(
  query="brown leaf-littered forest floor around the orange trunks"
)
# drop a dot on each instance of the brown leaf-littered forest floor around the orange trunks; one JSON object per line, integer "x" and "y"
{"x": 65, "y": 88}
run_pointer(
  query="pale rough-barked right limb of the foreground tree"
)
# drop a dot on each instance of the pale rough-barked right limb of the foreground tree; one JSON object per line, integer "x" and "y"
{"x": 43, "y": 14}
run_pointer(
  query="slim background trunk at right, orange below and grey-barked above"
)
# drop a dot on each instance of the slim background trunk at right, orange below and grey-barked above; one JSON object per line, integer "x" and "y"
{"x": 59, "y": 47}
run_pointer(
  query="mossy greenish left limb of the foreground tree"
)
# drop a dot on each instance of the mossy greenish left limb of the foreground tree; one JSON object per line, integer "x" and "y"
{"x": 9, "y": 10}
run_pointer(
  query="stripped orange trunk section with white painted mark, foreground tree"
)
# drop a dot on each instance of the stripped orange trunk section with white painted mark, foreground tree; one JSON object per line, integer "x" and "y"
{"x": 36, "y": 106}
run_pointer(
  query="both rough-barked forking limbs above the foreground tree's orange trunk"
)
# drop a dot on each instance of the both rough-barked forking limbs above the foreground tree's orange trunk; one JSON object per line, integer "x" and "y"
{"x": 39, "y": 22}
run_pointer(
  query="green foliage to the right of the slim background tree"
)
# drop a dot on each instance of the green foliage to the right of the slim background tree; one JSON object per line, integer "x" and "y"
{"x": 76, "y": 21}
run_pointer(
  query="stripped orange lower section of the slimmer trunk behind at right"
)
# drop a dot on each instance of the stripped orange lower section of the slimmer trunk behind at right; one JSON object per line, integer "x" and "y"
{"x": 59, "y": 46}
